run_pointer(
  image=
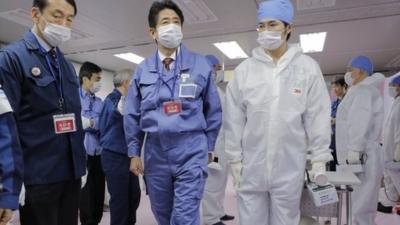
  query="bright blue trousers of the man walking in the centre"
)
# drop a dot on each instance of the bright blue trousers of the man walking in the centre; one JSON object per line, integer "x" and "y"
{"x": 175, "y": 178}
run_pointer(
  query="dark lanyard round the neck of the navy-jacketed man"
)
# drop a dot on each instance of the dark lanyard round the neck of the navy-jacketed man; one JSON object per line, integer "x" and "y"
{"x": 53, "y": 73}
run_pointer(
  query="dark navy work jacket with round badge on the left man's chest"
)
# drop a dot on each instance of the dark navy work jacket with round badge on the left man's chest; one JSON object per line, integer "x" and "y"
{"x": 34, "y": 93}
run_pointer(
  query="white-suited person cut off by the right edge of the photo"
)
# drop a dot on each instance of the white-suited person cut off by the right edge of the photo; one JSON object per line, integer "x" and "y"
{"x": 391, "y": 149}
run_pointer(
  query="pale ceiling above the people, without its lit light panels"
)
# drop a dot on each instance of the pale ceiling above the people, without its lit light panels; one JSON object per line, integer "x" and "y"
{"x": 107, "y": 27}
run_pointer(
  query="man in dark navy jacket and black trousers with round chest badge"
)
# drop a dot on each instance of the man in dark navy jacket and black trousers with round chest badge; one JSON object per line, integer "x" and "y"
{"x": 43, "y": 90}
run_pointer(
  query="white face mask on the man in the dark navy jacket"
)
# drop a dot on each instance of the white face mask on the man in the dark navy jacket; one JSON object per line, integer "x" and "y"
{"x": 56, "y": 34}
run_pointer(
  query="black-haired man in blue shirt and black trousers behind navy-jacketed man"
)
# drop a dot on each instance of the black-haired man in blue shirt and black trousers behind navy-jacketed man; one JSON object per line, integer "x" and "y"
{"x": 92, "y": 196}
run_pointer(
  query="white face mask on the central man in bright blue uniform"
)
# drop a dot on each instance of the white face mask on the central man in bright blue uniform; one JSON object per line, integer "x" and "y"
{"x": 170, "y": 36}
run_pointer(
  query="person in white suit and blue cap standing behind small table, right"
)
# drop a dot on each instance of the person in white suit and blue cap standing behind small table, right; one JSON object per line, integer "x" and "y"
{"x": 358, "y": 129}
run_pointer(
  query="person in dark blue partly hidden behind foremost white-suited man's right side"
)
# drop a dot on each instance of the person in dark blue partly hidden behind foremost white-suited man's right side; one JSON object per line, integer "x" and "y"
{"x": 339, "y": 87}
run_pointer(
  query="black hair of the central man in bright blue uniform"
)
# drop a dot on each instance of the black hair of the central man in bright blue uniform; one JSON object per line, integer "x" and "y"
{"x": 158, "y": 6}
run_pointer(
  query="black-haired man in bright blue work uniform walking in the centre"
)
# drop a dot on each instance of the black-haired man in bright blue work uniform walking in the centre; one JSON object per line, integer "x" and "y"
{"x": 174, "y": 100}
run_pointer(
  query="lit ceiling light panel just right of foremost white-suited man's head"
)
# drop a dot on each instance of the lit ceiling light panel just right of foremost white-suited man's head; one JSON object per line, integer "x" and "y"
{"x": 313, "y": 42}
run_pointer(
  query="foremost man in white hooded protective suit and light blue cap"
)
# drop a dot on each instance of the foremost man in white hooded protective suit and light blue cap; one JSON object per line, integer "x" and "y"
{"x": 277, "y": 110}
